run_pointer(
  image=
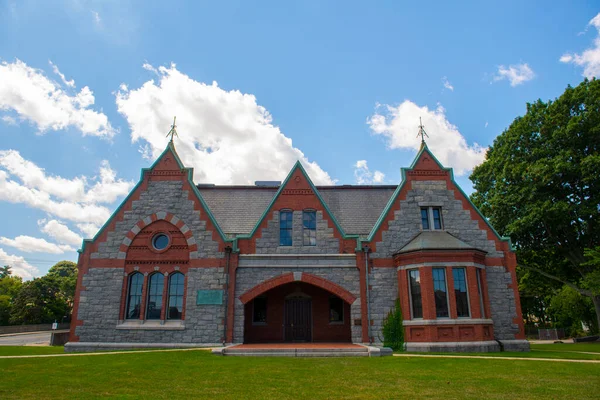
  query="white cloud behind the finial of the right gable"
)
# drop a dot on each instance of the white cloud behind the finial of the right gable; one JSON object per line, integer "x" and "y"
{"x": 399, "y": 125}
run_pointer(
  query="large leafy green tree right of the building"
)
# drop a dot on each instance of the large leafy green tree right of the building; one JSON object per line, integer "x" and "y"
{"x": 540, "y": 186}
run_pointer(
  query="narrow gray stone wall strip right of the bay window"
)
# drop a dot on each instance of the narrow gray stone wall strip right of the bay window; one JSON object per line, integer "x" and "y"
{"x": 502, "y": 302}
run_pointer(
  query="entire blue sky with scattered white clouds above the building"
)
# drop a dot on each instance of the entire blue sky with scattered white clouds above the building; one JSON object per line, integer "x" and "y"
{"x": 88, "y": 90}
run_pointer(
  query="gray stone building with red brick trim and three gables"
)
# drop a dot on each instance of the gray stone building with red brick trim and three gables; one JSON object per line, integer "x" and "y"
{"x": 180, "y": 264}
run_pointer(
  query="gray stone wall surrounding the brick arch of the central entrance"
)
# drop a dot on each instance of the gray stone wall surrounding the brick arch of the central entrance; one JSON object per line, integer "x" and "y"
{"x": 247, "y": 278}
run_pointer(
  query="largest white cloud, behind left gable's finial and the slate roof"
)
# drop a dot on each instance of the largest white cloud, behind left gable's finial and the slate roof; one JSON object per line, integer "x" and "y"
{"x": 225, "y": 135}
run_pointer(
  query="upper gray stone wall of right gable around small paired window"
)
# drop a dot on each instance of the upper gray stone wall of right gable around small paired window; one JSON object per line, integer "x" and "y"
{"x": 456, "y": 220}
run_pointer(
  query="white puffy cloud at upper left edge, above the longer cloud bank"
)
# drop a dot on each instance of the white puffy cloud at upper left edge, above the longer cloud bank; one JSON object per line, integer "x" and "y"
{"x": 46, "y": 104}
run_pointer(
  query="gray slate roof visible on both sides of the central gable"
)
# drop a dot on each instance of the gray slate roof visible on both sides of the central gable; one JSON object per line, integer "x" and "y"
{"x": 237, "y": 209}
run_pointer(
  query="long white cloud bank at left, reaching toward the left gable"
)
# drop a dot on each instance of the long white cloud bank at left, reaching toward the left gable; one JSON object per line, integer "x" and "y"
{"x": 76, "y": 200}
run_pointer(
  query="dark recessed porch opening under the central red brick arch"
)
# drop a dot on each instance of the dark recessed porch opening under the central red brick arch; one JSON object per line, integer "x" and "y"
{"x": 297, "y": 312}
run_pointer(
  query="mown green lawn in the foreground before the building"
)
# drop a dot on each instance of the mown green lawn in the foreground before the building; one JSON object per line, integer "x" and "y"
{"x": 203, "y": 375}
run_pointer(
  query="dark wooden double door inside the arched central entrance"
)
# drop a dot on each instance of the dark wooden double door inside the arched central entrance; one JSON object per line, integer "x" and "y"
{"x": 298, "y": 320}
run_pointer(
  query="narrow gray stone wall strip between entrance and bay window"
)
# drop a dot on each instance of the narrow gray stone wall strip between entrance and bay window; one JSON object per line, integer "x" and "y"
{"x": 383, "y": 295}
